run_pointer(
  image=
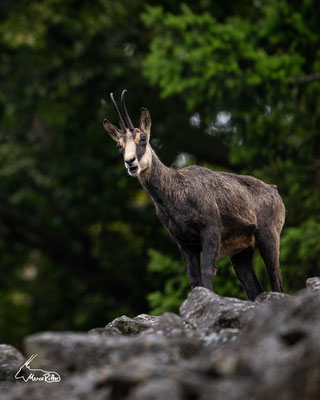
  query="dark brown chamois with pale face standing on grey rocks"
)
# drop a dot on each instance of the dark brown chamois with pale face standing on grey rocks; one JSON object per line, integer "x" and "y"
{"x": 218, "y": 213}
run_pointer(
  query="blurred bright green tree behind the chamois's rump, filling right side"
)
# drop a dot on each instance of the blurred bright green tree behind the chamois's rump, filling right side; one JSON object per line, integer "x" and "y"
{"x": 251, "y": 74}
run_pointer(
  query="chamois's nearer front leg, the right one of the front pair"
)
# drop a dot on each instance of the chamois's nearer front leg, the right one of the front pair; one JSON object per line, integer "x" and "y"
{"x": 210, "y": 249}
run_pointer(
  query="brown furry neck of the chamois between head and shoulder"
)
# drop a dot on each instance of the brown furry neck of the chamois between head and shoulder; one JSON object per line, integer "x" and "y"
{"x": 156, "y": 179}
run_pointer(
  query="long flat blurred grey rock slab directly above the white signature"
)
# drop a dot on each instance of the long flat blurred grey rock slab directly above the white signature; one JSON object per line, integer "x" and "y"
{"x": 73, "y": 352}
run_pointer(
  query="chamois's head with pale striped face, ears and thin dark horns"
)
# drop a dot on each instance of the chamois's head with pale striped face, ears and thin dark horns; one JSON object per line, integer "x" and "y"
{"x": 133, "y": 143}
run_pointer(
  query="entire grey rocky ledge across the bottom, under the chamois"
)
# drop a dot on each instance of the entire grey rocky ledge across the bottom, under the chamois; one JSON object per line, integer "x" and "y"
{"x": 216, "y": 348}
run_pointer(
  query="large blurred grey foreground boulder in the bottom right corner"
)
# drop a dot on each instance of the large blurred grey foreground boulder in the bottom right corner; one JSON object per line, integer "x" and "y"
{"x": 277, "y": 352}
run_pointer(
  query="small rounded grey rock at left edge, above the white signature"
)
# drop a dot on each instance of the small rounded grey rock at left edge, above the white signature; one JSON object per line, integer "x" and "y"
{"x": 10, "y": 361}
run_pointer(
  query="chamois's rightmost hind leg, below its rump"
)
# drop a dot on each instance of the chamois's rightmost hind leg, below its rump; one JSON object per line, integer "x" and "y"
{"x": 268, "y": 243}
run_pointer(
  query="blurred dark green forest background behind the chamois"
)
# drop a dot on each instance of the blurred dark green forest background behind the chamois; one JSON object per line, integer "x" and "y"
{"x": 232, "y": 85}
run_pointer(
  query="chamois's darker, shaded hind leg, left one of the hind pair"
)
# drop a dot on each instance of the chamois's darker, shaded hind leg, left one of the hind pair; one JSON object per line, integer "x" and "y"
{"x": 243, "y": 266}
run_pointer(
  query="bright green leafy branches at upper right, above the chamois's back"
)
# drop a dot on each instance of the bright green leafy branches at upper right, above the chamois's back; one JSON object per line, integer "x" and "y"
{"x": 193, "y": 53}
